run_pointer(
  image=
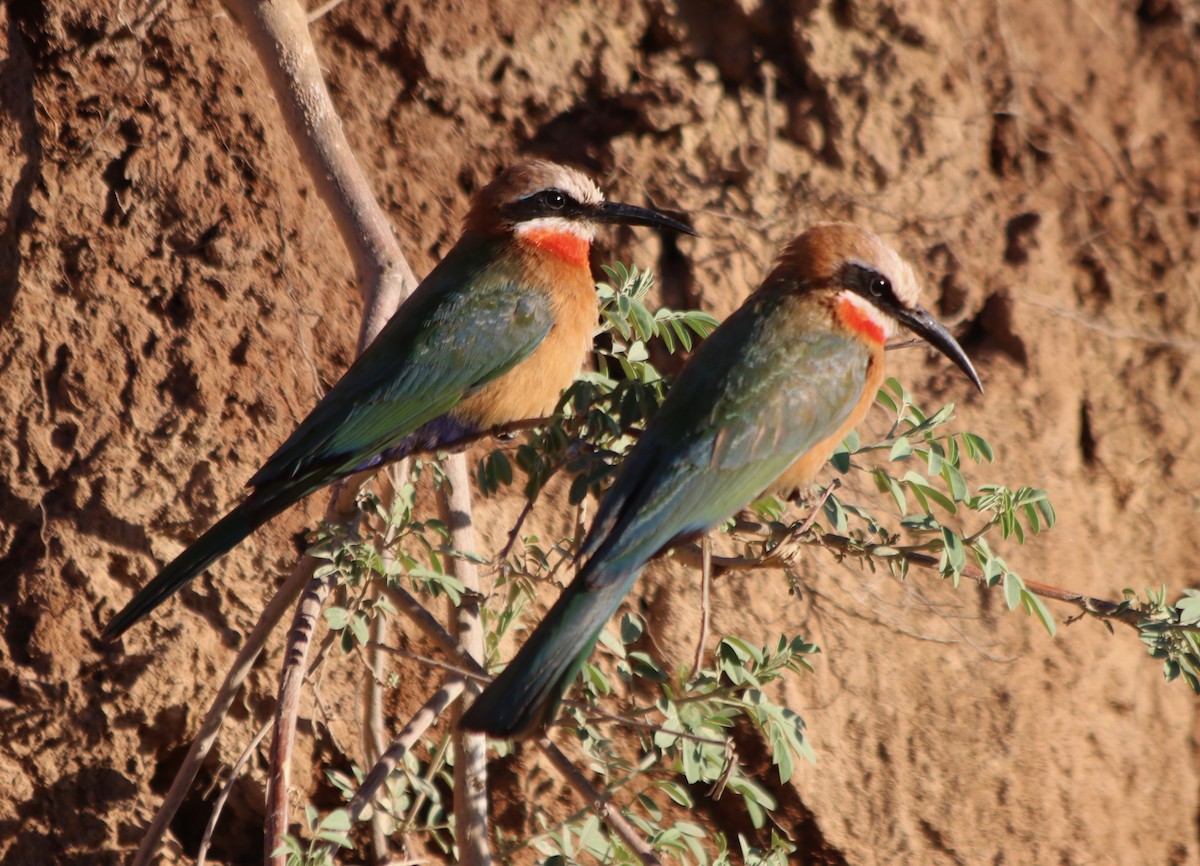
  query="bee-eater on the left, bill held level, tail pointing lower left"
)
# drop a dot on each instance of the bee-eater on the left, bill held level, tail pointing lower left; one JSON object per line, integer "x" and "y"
{"x": 491, "y": 336}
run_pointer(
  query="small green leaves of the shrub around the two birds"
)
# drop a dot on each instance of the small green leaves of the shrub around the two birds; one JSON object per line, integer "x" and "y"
{"x": 667, "y": 739}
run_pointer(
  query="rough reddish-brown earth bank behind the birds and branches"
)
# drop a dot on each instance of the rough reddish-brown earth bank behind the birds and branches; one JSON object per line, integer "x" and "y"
{"x": 173, "y": 298}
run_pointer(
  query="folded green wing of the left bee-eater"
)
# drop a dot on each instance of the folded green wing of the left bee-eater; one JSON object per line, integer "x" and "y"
{"x": 465, "y": 327}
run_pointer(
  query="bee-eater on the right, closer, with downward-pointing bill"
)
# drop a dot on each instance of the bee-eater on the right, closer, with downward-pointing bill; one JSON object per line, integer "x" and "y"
{"x": 759, "y": 408}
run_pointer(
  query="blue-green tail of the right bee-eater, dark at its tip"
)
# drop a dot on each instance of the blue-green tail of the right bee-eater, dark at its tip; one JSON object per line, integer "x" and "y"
{"x": 525, "y": 696}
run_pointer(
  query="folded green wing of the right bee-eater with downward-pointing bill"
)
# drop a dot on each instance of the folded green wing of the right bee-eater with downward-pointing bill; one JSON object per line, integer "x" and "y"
{"x": 752, "y": 401}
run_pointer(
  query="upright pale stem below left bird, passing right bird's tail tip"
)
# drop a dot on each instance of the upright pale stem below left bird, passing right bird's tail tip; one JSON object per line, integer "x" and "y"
{"x": 470, "y": 750}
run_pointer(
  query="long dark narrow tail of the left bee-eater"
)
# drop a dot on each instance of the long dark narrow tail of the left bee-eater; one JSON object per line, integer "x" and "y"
{"x": 221, "y": 538}
